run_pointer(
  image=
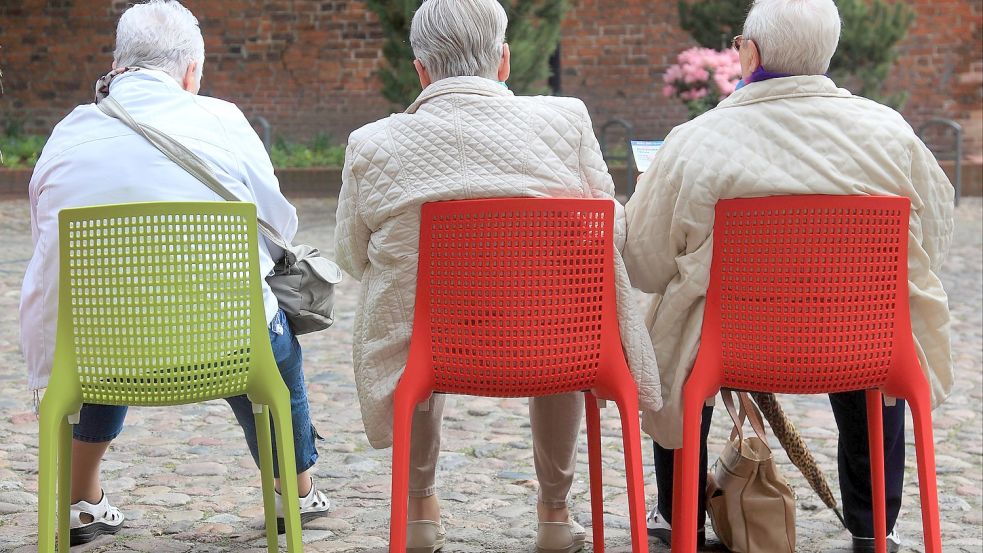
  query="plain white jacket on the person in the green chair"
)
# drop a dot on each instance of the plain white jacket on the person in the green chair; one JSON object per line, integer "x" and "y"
{"x": 93, "y": 159}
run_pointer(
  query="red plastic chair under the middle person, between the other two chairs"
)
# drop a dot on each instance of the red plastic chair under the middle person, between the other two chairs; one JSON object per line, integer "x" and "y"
{"x": 516, "y": 298}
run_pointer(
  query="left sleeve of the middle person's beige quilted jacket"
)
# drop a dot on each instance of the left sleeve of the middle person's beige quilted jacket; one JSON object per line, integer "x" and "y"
{"x": 351, "y": 232}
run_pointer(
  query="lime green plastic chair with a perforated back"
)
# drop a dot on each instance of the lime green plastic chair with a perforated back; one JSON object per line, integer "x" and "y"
{"x": 160, "y": 304}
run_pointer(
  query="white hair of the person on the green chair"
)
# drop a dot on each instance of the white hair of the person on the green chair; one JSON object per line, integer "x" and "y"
{"x": 160, "y": 34}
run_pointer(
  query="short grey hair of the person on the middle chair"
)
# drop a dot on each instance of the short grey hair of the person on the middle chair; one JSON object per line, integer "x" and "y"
{"x": 454, "y": 38}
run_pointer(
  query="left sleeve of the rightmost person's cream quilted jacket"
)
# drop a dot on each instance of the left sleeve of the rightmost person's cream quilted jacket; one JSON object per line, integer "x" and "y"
{"x": 651, "y": 249}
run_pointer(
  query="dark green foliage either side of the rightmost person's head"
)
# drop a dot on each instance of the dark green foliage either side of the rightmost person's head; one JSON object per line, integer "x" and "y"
{"x": 867, "y": 50}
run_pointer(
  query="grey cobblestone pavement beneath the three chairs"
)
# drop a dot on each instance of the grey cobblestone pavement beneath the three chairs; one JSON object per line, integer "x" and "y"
{"x": 185, "y": 481}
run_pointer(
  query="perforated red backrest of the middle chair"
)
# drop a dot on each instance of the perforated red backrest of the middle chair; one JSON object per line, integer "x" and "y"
{"x": 512, "y": 293}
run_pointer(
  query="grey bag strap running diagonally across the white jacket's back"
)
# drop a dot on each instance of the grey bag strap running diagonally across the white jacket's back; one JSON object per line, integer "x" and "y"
{"x": 186, "y": 159}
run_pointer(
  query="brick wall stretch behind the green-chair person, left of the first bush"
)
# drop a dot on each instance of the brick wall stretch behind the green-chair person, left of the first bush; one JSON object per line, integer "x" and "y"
{"x": 308, "y": 67}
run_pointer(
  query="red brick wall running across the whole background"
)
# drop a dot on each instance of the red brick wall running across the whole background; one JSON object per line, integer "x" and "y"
{"x": 309, "y": 67}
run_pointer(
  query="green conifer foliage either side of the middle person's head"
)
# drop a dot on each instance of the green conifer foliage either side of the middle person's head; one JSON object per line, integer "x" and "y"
{"x": 533, "y": 35}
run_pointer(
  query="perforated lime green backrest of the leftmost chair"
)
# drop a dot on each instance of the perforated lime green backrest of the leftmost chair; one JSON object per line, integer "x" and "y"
{"x": 160, "y": 296}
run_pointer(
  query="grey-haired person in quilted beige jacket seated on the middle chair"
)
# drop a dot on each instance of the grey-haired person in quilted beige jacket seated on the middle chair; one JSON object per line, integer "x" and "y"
{"x": 466, "y": 136}
